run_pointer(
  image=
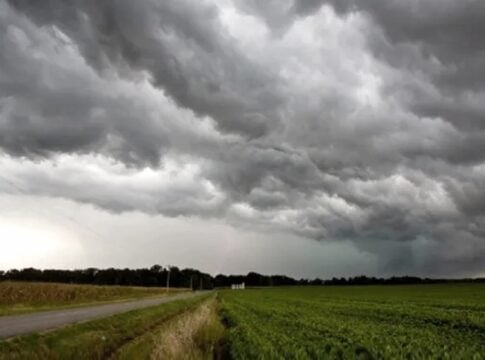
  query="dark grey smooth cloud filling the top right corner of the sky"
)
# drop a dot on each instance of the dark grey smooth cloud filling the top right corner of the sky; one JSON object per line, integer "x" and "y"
{"x": 448, "y": 29}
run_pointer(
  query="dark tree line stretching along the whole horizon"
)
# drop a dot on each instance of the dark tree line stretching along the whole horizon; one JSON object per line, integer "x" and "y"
{"x": 191, "y": 278}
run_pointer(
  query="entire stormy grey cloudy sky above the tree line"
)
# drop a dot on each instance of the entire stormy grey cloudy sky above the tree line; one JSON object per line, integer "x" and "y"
{"x": 307, "y": 137}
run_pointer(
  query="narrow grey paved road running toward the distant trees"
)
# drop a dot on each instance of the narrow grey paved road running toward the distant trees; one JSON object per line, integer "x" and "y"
{"x": 23, "y": 324}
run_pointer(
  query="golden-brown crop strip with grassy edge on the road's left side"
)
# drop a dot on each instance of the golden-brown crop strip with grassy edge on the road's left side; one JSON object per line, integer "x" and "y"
{"x": 25, "y": 297}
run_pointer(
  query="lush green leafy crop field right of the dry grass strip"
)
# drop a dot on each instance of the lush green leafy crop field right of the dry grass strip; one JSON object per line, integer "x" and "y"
{"x": 369, "y": 322}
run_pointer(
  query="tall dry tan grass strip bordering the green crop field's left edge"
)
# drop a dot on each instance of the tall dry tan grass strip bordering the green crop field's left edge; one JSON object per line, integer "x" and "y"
{"x": 196, "y": 334}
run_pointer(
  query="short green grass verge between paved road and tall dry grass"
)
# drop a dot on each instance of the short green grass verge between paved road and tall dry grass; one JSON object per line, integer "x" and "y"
{"x": 98, "y": 339}
